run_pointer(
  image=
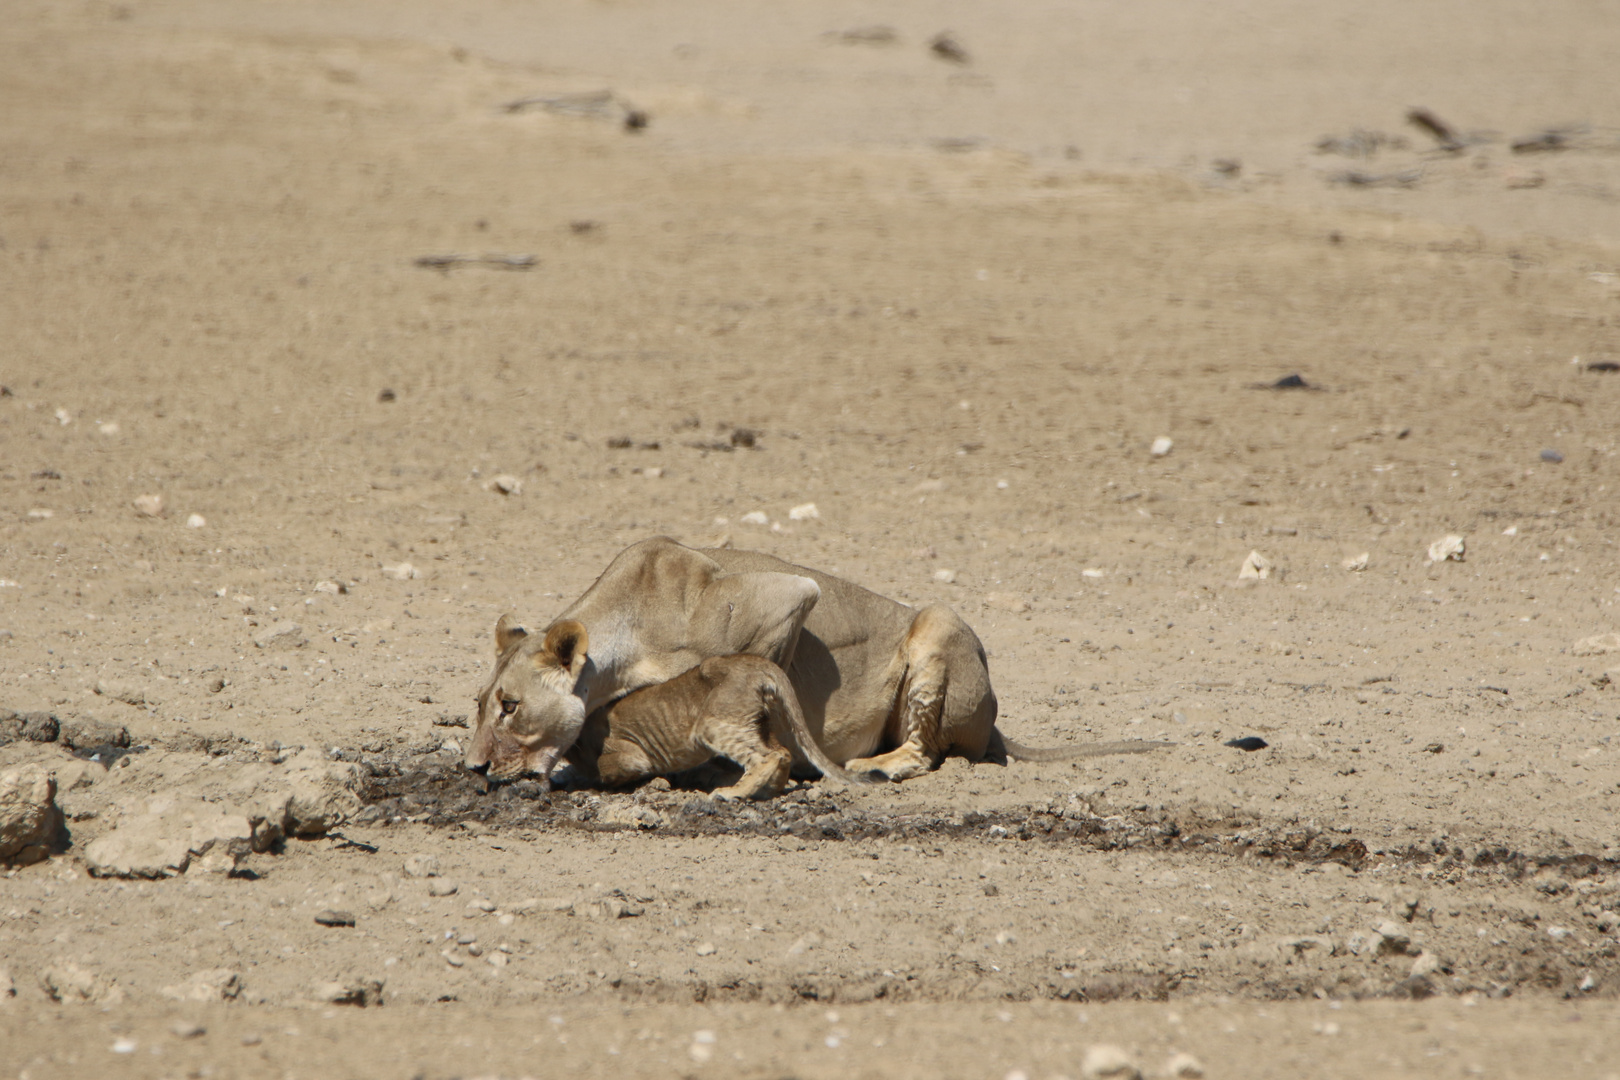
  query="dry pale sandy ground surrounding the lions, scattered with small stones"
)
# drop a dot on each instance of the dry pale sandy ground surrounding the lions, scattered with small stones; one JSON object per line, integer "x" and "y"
{"x": 960, "y": 339}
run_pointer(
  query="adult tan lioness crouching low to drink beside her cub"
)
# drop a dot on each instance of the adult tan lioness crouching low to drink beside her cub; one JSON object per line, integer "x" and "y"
{"x": 884, "y": 687}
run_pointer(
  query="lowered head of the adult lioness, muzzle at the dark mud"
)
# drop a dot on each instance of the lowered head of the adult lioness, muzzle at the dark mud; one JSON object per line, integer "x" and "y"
{"x": 527, "y": 713}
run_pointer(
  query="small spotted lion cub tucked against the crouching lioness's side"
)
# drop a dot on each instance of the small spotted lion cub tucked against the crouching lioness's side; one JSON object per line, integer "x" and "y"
{"x": 740, "y": 707}
